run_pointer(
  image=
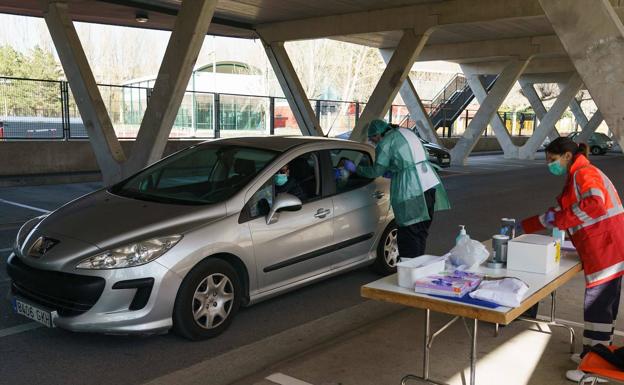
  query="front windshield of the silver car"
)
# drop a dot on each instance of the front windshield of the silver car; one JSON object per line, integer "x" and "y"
{"x": 200, "y": 175}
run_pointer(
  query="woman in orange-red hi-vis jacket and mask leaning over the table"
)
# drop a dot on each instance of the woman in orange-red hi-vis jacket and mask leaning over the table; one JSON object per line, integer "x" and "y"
{"x": 590, "y": 211}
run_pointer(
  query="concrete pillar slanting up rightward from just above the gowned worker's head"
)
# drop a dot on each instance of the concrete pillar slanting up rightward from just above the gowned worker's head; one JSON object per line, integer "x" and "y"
{"x": 392, "y": 79}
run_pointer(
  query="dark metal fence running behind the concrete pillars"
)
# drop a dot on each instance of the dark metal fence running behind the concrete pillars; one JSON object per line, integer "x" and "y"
{"x": 44, "y": 109}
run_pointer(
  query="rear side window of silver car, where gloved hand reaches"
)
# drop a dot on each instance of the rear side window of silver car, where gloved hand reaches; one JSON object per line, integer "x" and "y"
{"x": 344, "y": 178}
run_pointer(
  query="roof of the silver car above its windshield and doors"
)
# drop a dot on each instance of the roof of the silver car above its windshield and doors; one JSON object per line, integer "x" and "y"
{"x": 276, "y": 143}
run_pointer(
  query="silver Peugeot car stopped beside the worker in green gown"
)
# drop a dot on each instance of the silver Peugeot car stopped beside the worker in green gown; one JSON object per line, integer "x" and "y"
{"x": 183, "y": 243}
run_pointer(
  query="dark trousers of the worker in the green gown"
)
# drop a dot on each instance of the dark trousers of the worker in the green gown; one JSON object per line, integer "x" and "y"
{"x": 412, "y": 239}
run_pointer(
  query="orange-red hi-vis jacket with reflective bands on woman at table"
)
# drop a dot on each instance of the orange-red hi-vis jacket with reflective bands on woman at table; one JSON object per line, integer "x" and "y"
{"x": 591, "y": 211}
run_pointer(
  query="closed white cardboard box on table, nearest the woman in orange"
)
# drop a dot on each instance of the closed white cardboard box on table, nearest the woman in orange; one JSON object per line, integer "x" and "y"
{"x": 532, "y": 253}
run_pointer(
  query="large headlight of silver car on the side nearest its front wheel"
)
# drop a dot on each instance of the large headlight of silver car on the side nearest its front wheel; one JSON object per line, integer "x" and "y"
{"x": 131, "y": 255}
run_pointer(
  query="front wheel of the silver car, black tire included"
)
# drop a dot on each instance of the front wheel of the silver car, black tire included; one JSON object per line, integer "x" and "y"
{"x": 214, "y": 286}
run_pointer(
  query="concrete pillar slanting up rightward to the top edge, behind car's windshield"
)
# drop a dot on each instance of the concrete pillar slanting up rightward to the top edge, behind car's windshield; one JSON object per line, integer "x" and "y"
{"x": 187, "y": 37}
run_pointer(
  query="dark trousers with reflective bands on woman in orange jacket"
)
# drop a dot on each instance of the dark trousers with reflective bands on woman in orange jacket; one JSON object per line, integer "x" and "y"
{"x": 601, "y": 307}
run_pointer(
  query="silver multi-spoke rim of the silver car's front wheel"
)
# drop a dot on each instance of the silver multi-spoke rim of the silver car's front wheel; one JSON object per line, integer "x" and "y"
{"x": 212, "y": 301}
